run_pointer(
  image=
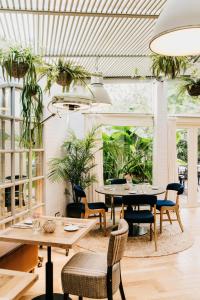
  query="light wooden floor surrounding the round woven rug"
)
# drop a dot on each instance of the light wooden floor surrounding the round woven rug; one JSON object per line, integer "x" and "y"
{"x": 174, "y": 277}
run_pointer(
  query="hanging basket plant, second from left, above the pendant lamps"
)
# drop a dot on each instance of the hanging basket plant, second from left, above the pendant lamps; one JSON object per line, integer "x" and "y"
{"x": 64, "y": 73}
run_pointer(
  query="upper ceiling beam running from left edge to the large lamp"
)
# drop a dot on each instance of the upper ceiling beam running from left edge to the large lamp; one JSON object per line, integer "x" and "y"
{"x": 78, "y": 14}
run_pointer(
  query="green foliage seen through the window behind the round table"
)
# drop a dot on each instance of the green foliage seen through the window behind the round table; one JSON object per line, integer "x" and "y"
{"x": 126, "y": 151}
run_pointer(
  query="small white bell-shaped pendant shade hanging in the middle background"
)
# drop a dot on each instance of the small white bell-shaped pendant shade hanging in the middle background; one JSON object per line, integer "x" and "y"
{"x": 100, "y": 95}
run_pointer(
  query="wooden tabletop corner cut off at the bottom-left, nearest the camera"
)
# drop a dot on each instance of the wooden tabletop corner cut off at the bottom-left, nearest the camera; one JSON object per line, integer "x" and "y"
{"x": 13, "y": 283}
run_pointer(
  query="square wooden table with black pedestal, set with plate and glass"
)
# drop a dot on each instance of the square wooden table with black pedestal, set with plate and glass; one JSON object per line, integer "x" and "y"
{"x": 60, "y": 238}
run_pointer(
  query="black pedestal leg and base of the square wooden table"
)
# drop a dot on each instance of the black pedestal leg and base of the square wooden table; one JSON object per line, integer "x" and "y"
{"x": 49, "y": 295}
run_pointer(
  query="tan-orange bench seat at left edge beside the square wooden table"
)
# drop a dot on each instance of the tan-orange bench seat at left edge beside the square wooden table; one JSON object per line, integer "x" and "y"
{"x": 19, "y": 257}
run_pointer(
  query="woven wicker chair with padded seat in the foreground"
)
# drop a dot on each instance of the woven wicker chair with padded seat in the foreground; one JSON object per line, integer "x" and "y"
{"x": 97, "y": 276}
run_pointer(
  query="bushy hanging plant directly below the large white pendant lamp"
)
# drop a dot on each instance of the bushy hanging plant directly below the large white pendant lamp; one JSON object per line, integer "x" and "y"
{"x": 168, "y": 66}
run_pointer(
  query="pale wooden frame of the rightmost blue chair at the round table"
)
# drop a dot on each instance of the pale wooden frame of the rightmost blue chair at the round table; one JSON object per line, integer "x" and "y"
{"x": 166, "y": 210}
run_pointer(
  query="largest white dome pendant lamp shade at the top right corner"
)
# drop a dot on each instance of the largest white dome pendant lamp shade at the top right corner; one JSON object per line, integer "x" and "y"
{"x": 177, "y": 31}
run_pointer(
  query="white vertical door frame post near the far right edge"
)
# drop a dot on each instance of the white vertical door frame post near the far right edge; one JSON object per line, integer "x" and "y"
{"x": 192, "y": 166}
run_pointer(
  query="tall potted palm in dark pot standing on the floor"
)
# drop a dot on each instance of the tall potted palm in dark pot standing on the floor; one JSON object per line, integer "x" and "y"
{"x": 75, "y": 165}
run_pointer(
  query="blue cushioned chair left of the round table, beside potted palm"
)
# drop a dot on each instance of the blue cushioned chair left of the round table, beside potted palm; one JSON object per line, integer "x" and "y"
{"x": 90, "y": 209}
